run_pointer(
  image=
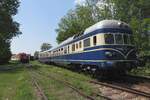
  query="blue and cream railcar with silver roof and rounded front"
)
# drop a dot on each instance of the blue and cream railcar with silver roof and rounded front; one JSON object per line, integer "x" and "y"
{"x": 105, "y": 45}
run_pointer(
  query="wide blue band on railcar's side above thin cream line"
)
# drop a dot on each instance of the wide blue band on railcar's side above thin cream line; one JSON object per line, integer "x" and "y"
{"x": 93, "y": 55}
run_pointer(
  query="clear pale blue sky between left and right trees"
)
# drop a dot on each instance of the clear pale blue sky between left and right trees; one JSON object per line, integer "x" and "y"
{"x": 38, "y": 20}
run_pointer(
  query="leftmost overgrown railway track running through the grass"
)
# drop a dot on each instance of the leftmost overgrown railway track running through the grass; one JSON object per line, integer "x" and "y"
{"x": 39, "y": 90}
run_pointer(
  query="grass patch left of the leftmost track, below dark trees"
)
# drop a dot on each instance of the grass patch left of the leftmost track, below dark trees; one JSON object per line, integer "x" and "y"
{"x": 15, "y": 83}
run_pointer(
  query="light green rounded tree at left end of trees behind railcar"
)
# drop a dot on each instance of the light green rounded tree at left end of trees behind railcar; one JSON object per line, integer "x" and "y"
{"x": 75, "y": 22}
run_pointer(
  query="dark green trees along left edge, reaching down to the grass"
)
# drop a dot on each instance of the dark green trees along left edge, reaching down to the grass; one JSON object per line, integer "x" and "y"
{"x": 8, "y": 27}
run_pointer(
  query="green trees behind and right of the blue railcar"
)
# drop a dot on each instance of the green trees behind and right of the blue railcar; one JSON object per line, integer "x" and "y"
{"x": 134, "y": 12}
